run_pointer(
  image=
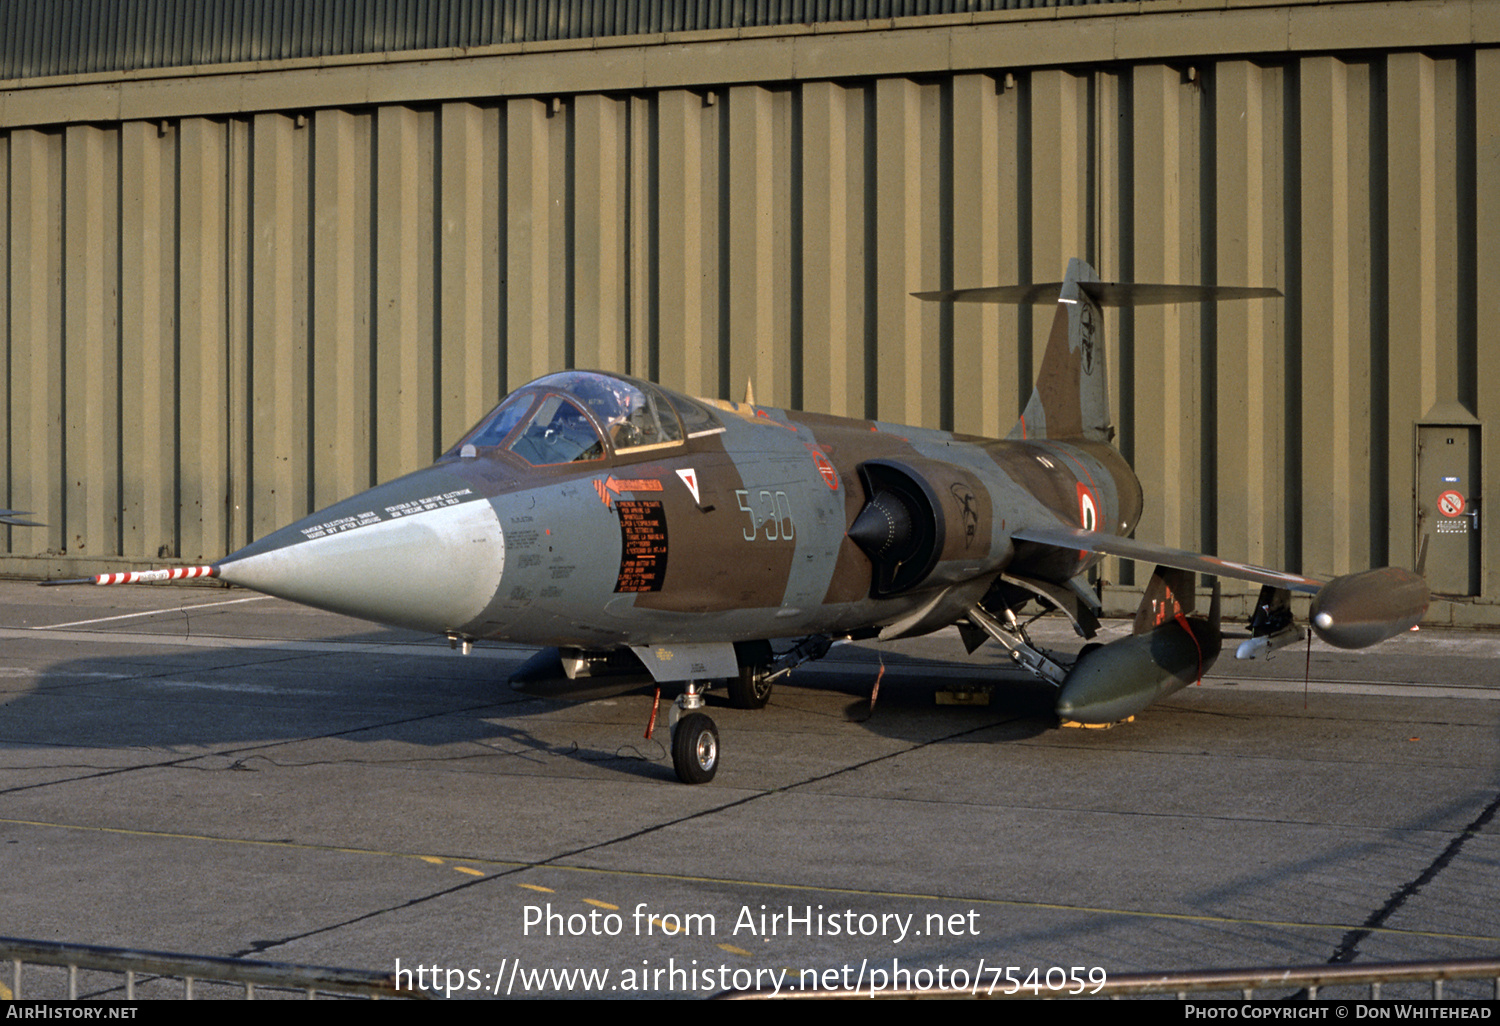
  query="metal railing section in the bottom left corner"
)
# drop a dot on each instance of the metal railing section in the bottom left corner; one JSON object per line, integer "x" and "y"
{"x": 155, "y": 967}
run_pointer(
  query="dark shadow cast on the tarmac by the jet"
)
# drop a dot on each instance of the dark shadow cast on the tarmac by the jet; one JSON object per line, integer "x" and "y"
{"x": 211, "y": 698}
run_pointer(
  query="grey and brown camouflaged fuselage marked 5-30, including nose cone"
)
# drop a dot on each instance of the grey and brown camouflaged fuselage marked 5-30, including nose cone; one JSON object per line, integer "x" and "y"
{"x": 737, "y": 532}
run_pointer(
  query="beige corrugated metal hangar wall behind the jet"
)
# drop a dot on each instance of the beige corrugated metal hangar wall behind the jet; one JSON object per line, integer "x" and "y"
{"x": 238, "y": 293}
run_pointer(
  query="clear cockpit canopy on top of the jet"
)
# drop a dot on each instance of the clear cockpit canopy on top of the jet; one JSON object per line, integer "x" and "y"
{"x": 568, "y": 418}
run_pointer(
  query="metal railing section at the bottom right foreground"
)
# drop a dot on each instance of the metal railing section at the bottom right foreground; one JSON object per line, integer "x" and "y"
{"x": 1303, "y": 982}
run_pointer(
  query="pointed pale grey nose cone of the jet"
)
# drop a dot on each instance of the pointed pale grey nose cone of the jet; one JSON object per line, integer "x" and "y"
{"x": 424, "y": 553}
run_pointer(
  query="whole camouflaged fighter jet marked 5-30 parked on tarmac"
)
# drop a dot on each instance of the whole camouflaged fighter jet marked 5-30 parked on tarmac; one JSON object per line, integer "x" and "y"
{"x": 709, "y": 542}
